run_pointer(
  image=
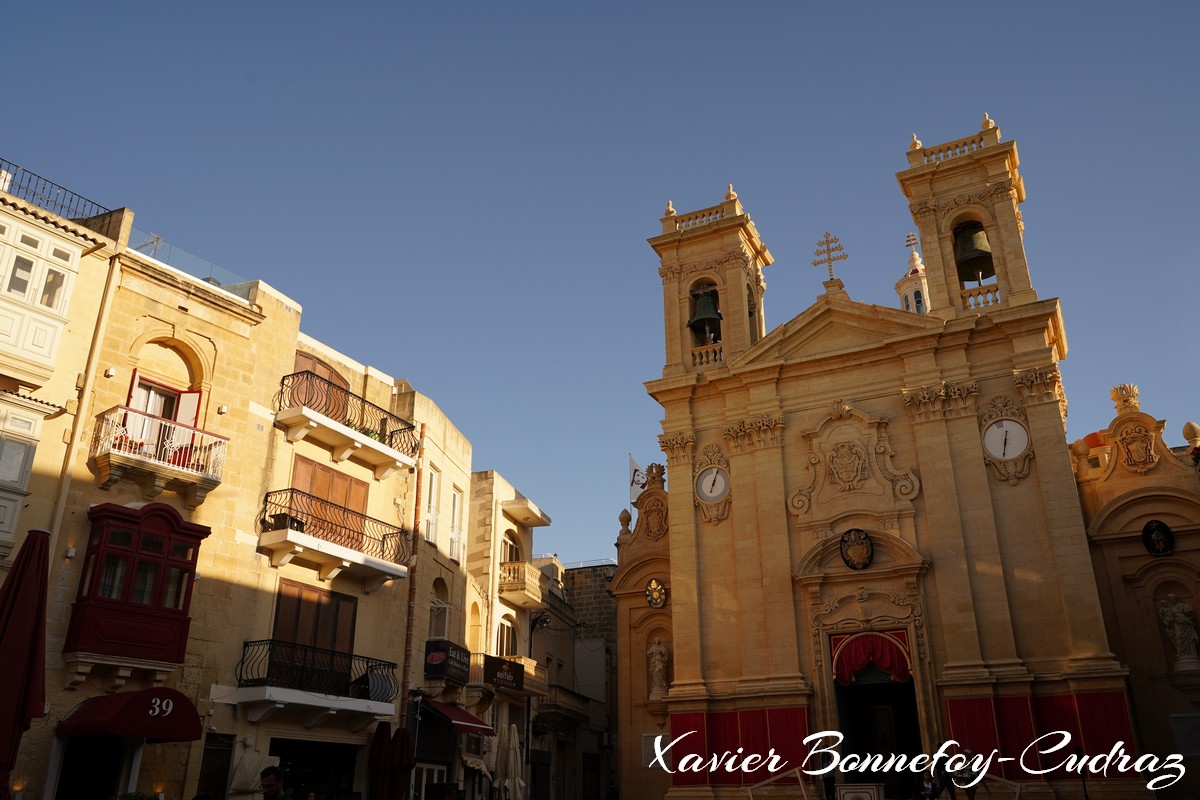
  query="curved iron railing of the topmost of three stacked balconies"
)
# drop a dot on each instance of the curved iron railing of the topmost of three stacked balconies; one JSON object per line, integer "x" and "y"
{"x": 310, "y": 390}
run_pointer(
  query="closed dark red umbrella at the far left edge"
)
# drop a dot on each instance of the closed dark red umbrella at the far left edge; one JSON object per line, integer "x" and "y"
{"x": 23, "y": 645}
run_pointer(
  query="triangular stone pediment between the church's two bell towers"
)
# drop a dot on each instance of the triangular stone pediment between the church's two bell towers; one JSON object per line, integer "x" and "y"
{"x": 836, "y": 324}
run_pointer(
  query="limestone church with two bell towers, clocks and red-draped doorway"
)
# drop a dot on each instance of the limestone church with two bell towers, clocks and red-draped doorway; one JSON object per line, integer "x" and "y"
{"x": 877, "y": 526}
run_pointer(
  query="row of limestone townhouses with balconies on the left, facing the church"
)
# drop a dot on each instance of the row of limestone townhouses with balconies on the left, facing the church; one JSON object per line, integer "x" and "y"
{"x": 263, "y": 551}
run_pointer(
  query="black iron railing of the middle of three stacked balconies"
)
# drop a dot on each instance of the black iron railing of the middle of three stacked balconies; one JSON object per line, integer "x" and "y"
{"x": 292, "y": 509}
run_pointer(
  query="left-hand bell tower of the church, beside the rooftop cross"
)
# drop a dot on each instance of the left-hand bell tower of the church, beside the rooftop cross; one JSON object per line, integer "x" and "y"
{"x": 712, "y": 286}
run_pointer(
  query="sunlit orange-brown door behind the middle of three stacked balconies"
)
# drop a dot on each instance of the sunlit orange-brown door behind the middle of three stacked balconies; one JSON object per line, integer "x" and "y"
{"x": 339, "y": 514}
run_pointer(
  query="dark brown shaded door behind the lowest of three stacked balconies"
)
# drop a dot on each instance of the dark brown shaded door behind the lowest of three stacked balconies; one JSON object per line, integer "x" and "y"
{"x": 314, "y": 640}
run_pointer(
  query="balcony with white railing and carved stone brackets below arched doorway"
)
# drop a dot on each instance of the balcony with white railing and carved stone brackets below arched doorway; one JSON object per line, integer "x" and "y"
{"x": 159, "y": 454}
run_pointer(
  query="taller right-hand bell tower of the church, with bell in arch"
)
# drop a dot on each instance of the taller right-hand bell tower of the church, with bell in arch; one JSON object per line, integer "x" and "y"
{"x": 964, "y": 196}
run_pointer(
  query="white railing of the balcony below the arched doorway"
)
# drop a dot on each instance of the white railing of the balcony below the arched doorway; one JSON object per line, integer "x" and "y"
{"x": 159, "y": 441}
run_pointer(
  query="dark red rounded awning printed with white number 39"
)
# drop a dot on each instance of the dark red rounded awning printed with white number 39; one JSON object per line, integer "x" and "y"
{"x": 157, "y": 714}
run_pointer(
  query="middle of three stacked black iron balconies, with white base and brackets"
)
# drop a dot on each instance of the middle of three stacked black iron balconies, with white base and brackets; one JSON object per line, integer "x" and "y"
{"x": 297, "y": 525}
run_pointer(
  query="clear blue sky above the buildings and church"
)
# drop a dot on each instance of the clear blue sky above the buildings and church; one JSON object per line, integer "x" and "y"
{"x": 460, "y": 194}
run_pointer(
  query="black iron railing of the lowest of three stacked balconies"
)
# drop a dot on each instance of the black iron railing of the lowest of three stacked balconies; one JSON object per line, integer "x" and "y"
{"x": 274, "y": 663}
